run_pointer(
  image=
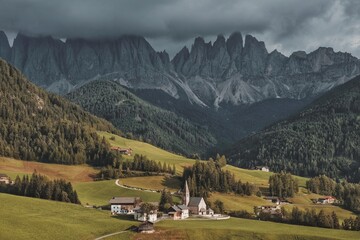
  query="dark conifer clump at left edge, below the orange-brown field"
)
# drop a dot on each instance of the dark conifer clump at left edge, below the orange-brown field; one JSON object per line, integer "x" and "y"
{"x": 39, "y": 186}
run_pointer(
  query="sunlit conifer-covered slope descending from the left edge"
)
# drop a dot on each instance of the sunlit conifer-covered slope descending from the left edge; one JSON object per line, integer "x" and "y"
{"x": 35, "y": 125}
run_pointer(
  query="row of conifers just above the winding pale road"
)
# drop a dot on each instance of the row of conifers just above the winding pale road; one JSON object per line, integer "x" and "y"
{"x": 124, "y": 168}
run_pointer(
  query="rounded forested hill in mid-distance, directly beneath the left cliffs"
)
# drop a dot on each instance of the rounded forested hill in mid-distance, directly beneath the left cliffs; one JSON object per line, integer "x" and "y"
{"x": 130, "y": 114}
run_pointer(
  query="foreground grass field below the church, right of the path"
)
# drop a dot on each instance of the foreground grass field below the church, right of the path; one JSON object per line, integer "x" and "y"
{"x": 243, "y": 229}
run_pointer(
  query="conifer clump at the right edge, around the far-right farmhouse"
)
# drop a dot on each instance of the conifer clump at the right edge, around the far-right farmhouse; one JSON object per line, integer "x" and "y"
{"x": 348, "y": 194}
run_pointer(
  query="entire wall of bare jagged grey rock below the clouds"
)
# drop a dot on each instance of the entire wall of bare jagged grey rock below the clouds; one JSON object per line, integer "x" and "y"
{"x": 227, "y": 71}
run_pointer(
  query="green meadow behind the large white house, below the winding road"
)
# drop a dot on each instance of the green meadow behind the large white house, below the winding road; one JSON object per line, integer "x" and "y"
{"x": 100, "y": 192}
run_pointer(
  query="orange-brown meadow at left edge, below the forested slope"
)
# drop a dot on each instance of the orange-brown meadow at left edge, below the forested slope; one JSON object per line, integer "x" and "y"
{"x": 79, "y": 173}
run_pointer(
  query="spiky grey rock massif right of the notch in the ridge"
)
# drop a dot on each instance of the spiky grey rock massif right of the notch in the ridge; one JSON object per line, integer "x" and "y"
{"x": 230, "y": 71}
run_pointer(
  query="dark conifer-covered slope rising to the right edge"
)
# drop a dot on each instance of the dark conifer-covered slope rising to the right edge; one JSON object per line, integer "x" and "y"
{"x": 323, "y": 139}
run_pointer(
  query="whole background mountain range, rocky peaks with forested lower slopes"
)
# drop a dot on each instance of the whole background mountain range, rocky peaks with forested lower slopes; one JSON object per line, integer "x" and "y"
{"x": 201, "y": 101}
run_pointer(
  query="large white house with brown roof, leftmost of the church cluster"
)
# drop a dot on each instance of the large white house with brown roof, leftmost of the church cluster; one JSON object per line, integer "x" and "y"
{"x": 124, "y": 205}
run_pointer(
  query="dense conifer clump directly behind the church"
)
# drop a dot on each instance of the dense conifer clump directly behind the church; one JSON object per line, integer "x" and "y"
{"x": 206, "y": 177}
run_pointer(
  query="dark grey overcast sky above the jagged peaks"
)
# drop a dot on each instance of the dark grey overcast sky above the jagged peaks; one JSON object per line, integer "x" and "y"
{"x": 286, "y": 25}
